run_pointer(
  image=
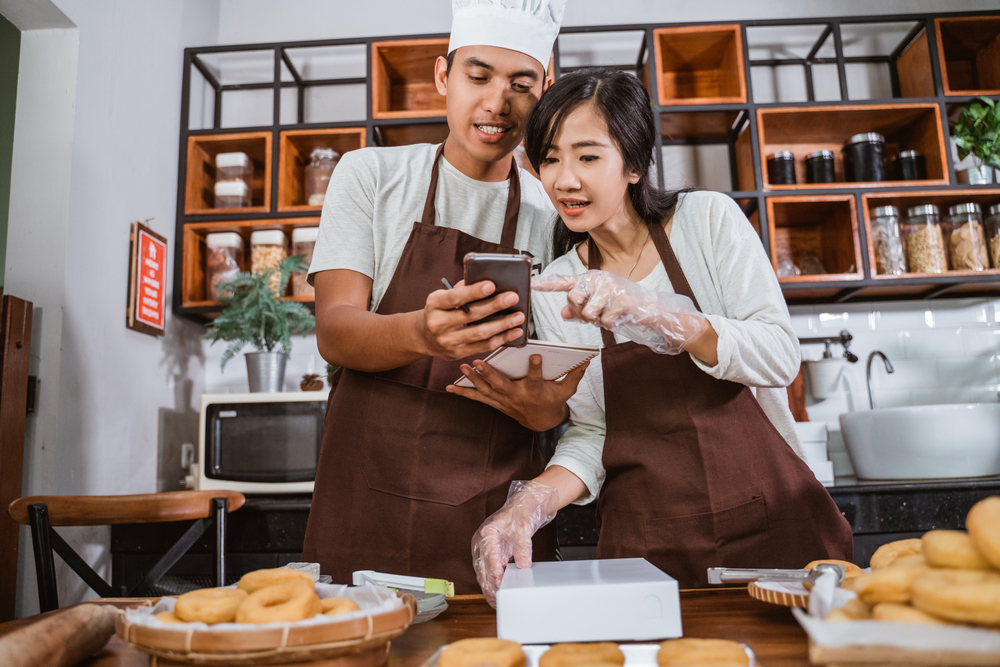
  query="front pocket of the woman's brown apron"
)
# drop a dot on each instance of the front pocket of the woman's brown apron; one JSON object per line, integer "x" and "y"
{"x": 733, "y": 537}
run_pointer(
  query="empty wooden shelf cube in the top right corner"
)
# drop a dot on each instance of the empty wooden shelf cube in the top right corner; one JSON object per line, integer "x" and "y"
{"x": 969, "y": 53}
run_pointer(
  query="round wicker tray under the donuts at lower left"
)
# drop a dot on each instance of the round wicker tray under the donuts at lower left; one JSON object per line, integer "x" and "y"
{"x": 356, "y": 642}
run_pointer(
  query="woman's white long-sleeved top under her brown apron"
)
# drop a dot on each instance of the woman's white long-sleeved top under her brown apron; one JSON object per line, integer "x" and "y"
{"x": 725, "y": 264}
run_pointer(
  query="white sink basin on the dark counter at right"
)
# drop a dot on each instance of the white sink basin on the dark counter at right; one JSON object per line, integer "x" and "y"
{"x": 924, "y": 442}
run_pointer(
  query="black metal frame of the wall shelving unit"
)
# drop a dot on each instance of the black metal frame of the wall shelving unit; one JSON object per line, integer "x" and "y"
{"x": 746, "y": 118}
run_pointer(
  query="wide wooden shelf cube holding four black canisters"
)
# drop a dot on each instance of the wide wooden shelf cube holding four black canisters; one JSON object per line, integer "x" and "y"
{"x": 802, "y": 130}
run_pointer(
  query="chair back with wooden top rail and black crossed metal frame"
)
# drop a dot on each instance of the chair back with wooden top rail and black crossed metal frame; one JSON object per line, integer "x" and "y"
{"x": 44, "y": 512}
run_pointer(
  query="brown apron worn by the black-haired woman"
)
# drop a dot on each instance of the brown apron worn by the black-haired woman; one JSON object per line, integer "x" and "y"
{"x": 697, "y": 475}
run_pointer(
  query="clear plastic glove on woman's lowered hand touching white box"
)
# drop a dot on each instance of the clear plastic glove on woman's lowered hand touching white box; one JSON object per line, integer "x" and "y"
{"x": 508, "y": 531}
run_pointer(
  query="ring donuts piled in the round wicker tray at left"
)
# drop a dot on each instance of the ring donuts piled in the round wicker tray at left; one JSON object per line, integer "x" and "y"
{"x": 263, "y": 596}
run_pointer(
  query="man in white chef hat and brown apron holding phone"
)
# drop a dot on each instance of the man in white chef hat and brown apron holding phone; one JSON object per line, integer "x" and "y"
{"x": 408, "y": 471}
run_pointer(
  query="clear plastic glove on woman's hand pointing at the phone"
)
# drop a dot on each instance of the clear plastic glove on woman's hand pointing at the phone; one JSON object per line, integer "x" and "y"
{"x": 665, "y": 323}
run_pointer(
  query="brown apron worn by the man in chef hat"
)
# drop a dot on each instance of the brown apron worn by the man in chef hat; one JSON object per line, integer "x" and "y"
{"x": 407, "y": 471}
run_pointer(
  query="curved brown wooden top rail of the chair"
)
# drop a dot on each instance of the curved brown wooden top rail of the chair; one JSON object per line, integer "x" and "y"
{"x": 116, "y": 510}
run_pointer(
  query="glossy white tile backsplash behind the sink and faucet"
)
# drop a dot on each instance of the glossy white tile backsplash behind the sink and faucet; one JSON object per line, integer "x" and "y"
{"x": 943, "y": 351}
